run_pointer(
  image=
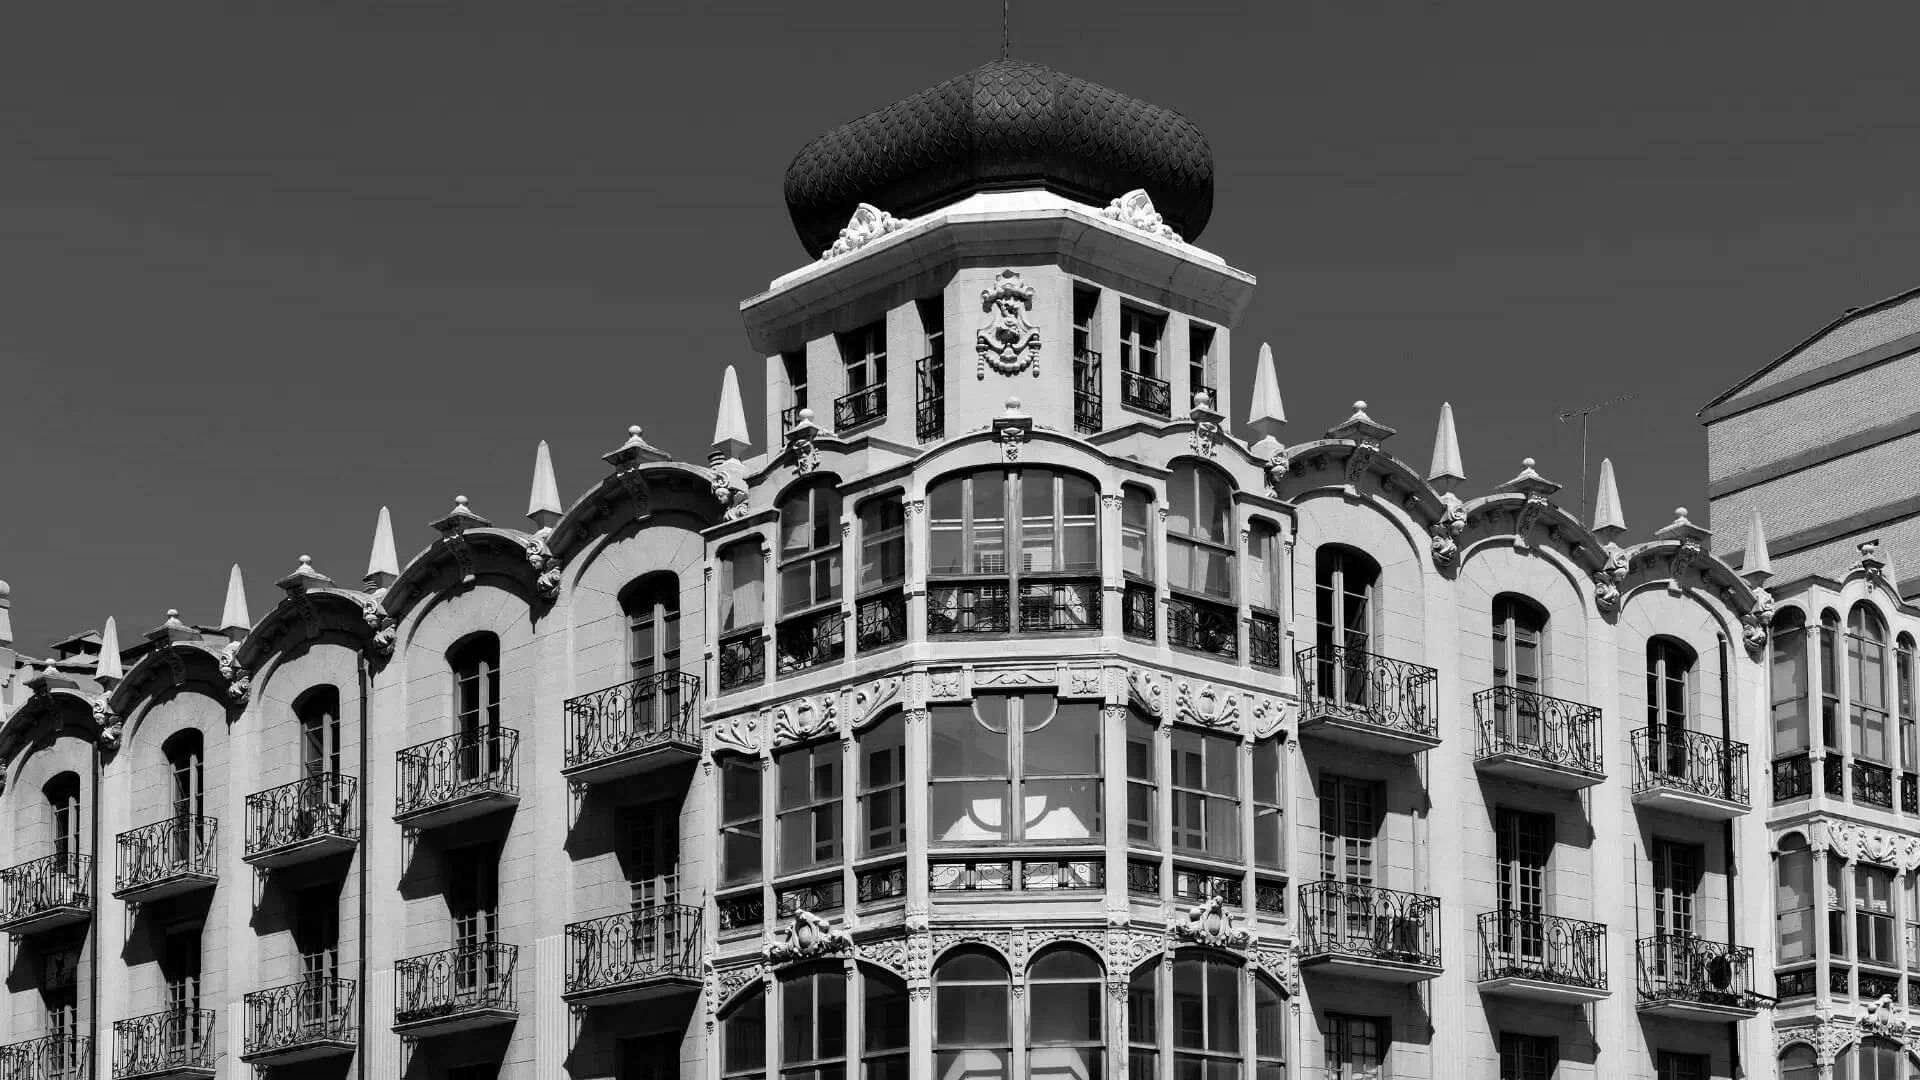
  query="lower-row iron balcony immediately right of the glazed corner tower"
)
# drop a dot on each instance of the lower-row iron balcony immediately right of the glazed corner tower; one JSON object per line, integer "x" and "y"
{"x": 1370, "y": 933}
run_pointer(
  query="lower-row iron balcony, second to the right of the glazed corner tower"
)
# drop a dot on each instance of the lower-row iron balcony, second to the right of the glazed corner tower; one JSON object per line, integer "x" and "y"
{"x": 1543, "y": 958}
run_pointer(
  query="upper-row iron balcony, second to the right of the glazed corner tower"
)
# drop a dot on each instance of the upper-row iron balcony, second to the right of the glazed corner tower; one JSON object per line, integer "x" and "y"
{"x": 1537, "y": 739}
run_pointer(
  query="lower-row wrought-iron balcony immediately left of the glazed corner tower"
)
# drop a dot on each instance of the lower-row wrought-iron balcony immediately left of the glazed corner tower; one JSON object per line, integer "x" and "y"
{"x": 636, "y": 956}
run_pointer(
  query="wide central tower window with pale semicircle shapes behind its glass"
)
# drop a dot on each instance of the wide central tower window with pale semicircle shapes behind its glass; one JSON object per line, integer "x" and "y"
{"x": 1017, "y": 750}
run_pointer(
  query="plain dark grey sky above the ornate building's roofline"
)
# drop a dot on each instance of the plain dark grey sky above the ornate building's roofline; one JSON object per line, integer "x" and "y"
{"x": 266, "y": 268}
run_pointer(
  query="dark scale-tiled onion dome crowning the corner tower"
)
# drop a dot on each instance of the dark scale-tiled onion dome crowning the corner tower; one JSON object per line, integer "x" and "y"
{"x": 1003, "y": 126}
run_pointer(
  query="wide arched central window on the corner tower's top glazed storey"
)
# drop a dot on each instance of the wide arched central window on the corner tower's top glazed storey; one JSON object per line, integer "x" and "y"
{"x": 1059, "y": 552}
